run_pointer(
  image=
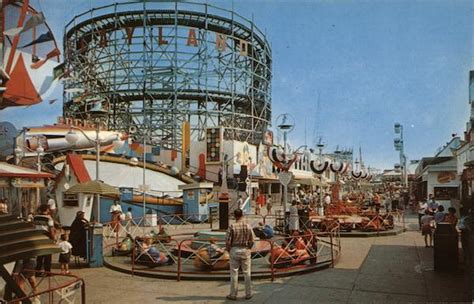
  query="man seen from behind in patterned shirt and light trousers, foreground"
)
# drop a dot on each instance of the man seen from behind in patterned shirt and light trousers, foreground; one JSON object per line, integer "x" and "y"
{"x": 239, "y": 241}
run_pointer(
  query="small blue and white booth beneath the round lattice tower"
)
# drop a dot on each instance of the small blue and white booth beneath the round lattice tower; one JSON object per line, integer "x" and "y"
{"x": 196, "y": 201}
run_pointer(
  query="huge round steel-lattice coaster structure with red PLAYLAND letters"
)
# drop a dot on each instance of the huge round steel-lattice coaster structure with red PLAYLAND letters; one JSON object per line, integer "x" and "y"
{"x": 147, "y": 67}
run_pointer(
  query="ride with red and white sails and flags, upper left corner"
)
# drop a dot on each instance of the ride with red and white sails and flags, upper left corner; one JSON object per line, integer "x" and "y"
{"x": 29, "y": 54}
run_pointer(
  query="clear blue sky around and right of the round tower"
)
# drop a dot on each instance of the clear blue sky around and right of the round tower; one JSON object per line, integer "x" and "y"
{"x": 346, "y": 70}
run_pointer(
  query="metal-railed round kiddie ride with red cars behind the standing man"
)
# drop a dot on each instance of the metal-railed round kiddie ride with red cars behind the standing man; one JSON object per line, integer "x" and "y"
{"x": 182, "y": 254}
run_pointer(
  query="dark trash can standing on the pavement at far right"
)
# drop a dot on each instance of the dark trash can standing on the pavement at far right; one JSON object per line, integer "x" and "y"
{"x": 445, "y": 248}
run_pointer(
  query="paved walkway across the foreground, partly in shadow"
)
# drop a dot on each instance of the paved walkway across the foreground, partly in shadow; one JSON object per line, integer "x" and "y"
{"x": 392, "y": 269}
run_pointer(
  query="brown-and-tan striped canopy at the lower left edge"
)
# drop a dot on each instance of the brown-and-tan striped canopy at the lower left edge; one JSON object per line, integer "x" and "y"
{"x": 20, "y": 240}
